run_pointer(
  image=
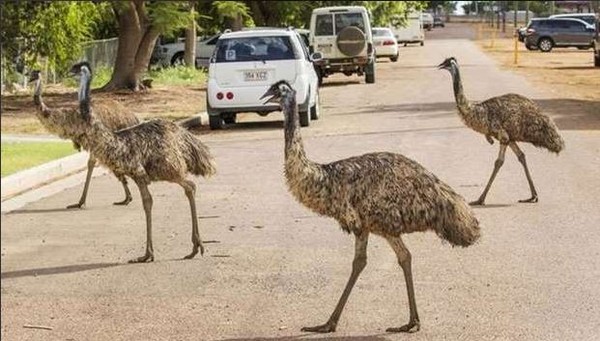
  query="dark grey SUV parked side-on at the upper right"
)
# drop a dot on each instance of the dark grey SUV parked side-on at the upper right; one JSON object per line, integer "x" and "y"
{"x": 547, "y": 33}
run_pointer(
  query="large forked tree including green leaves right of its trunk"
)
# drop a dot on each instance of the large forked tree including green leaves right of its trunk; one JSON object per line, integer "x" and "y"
{"x": 140, "y": 23}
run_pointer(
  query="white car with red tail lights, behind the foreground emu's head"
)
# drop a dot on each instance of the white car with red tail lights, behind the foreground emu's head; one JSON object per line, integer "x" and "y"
{"x": 246, "y": 63}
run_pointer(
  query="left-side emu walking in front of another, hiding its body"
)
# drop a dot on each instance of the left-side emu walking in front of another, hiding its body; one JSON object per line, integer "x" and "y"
{"x": 155, "y": 150}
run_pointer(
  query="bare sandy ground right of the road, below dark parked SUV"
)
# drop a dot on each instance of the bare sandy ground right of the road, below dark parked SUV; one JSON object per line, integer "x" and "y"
{"x": 567, "y": 73}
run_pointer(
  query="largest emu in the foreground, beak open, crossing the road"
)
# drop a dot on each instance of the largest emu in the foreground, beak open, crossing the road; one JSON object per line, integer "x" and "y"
{"x": 382, "y": 193}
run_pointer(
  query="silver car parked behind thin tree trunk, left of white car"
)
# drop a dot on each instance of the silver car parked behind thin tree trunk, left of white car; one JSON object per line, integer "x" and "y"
{"x": 170, "y": 53}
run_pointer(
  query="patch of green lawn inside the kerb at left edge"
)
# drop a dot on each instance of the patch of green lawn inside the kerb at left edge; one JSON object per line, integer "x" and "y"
{"x": 17, "y": 156}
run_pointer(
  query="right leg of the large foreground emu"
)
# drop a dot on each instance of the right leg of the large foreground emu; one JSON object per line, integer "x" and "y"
{"x": 404, "y": 259}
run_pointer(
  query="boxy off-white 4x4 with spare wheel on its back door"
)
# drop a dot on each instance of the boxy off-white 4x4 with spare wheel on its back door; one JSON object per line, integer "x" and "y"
{"x": 343, "y": 36}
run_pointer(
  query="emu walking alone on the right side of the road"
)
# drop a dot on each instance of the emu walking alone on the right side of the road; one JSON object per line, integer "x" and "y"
{"x": 509, "y": 118}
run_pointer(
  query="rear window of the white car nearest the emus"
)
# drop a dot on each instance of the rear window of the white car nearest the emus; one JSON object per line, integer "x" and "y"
{"x": 255, "y": 48}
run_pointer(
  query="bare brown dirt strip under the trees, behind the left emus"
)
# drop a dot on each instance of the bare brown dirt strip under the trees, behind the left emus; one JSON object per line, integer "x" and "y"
{"x": 172, "y": 102}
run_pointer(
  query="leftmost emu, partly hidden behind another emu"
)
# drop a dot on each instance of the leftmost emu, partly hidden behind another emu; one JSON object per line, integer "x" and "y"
{"x": 113, "y": 115}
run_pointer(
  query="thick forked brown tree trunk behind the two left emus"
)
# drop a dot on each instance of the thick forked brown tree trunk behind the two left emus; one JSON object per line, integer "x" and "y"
{"x": 136, "y": 42}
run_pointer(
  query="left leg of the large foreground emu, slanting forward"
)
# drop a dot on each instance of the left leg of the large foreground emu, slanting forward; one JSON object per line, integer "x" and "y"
{"x": 359, "y": 263}
